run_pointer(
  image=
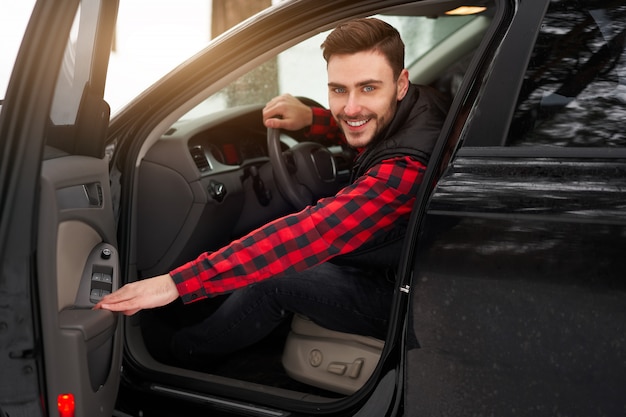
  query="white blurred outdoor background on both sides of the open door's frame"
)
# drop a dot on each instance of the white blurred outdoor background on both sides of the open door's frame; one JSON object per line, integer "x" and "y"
{"x": 152, "y": 37}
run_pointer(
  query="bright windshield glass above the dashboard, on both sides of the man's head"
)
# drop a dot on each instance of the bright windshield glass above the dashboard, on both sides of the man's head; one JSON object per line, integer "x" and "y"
{"x": 301, "y": 69}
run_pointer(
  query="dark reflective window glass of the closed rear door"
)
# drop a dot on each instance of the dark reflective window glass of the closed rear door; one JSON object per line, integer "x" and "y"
{"x": 574, "y": 91}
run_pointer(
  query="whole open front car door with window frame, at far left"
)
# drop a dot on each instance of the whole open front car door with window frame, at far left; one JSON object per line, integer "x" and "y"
{"x": 58, "y": 232}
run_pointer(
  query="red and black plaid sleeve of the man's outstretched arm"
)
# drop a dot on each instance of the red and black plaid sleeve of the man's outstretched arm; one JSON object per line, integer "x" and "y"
{"x": 335, "y": 225}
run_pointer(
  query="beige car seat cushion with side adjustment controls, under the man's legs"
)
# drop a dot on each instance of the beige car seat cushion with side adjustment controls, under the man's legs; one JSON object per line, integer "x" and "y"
{"x": 335, "y": 361}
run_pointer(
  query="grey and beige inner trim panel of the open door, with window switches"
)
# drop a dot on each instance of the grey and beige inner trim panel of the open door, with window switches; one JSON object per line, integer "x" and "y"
{"x": 77, "y": 260}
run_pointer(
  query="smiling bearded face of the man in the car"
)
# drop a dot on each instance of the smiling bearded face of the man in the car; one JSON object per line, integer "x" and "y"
{"x": 363, "y": 94}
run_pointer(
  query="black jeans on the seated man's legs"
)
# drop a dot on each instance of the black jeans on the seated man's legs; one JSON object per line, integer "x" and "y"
{"x": 339, "y": 298}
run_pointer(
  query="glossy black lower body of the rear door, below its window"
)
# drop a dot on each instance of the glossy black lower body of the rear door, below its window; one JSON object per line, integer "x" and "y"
{"x": 518, "y": 304}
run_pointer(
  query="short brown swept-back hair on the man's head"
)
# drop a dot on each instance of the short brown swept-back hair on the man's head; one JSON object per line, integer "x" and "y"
{"x": 367, "y": 34}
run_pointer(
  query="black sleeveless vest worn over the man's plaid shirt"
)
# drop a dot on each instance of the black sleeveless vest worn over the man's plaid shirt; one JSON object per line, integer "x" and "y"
{"x": 413, "y": 132}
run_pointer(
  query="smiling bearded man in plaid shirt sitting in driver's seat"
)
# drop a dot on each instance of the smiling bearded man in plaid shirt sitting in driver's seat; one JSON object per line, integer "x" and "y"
{"x": 331, "y": 261}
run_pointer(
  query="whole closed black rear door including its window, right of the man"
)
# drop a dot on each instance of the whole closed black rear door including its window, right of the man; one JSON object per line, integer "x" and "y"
{"x": 519, "y": 298}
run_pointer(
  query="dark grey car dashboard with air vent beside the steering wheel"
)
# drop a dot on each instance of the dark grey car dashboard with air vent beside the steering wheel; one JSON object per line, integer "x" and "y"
{"x": 205, "y": 182}
